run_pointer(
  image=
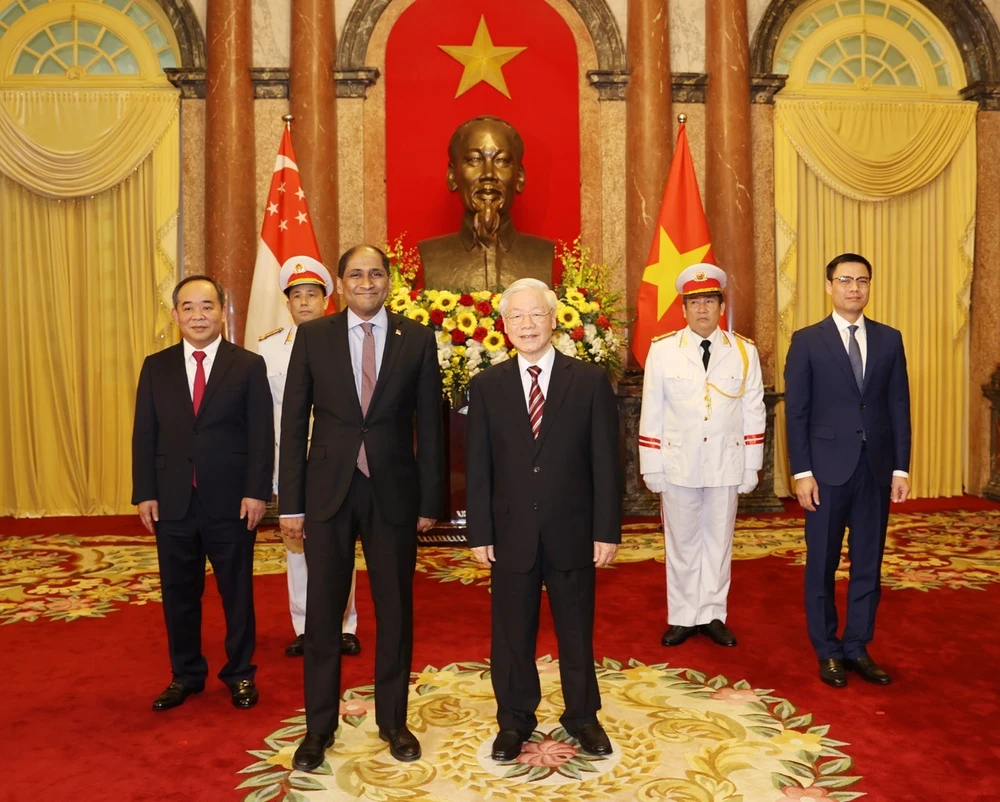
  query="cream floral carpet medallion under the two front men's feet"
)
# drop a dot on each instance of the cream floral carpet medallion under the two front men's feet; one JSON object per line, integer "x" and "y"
{"x": 677, "y": 735}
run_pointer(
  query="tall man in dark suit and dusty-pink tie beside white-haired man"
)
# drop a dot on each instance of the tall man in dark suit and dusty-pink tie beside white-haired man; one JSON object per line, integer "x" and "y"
{"x": 364, "y": 475}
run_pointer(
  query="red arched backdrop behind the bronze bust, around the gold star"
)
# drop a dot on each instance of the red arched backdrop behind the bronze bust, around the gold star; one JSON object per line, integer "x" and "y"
{"x": 422, "y": 112}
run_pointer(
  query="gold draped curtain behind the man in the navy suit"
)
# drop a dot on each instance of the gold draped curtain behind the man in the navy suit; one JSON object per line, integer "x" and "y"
{"x": 895, "y": 182}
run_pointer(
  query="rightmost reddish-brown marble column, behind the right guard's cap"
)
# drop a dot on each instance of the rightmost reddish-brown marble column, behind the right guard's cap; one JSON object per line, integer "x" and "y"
{"x": 728, "y": 164}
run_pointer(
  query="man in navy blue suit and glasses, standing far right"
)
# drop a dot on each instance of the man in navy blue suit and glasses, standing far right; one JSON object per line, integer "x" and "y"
{"x": 847, "y": 402}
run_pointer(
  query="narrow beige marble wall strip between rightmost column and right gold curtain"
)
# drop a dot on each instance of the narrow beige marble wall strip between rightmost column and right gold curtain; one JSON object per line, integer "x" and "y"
{"x": 765, "y": 309}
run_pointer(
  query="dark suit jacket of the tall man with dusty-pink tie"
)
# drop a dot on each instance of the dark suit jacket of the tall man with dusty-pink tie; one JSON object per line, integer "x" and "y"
{"x": 321, "y": 380}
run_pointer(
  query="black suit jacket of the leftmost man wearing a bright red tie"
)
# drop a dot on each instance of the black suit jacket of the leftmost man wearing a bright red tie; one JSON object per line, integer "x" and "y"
{"x": 230, "y": 443}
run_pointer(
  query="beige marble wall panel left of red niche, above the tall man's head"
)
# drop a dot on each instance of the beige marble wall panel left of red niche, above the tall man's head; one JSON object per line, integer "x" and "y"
{"x": 351, "y": 170}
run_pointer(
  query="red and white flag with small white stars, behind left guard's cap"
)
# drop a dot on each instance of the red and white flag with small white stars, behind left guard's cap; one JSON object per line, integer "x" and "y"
{"x": 285, "y": 233}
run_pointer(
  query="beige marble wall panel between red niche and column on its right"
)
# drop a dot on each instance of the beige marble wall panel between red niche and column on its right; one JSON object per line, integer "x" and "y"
{"x": 613, "y": 189}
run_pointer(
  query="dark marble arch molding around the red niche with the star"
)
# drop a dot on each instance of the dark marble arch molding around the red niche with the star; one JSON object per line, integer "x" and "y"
{"x": 609, "y": 78}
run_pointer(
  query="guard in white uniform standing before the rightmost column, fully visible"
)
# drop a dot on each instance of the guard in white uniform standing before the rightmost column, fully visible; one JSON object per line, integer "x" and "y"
{"x": 701, "y": 441}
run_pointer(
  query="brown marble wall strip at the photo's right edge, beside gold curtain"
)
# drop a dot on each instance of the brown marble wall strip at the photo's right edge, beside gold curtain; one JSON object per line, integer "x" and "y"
{"x": 985, "y": 317}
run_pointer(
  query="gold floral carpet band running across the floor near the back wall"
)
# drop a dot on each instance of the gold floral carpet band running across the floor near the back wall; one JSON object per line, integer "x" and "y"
{"x": 65, "y": 577}
